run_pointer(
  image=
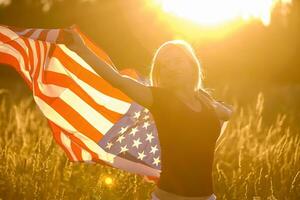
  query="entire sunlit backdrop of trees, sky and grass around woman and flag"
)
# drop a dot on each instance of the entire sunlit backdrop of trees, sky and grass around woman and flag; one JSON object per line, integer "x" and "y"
{"x": 250, "y": 54}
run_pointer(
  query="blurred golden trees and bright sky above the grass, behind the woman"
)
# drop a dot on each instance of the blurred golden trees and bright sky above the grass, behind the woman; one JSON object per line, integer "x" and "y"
{"x": 255, "y": 48}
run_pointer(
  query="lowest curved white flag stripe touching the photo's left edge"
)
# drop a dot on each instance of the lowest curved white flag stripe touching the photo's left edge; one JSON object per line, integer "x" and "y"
{"x": 7, "y": 49}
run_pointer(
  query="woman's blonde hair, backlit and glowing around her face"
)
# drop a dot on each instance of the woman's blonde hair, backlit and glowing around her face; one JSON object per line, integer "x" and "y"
{"x": 188, "y": 51}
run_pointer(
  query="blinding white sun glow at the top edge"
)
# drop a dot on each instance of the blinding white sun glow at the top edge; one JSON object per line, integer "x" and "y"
{"x": 216, "y": 12}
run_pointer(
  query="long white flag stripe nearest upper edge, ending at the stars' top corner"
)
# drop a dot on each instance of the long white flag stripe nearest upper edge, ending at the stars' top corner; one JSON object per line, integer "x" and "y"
{"x": 109, "y": 102}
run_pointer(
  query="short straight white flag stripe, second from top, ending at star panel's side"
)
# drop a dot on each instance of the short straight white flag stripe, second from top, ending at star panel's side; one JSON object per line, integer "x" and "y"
{"x": 86, "y": 111}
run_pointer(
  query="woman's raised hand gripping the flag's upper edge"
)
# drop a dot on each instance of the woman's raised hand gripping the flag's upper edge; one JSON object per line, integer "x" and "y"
{"x": 73, "y": 40}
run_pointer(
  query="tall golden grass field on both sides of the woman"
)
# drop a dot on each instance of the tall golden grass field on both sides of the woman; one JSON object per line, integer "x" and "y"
{"x": 254, "y": 160}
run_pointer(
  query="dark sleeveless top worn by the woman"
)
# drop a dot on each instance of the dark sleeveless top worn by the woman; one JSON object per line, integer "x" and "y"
{"x": 187, "y": 141}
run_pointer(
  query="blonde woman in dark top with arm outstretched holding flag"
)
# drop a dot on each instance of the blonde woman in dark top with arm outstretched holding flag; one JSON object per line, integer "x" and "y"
{"x": 180, "y": 106}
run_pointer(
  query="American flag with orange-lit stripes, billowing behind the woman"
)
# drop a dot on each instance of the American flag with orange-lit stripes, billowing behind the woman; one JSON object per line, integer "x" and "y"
{"x": 91, "y": 120}
